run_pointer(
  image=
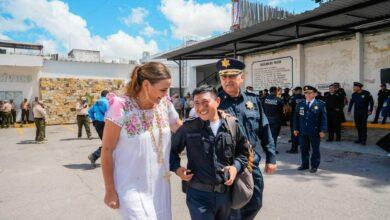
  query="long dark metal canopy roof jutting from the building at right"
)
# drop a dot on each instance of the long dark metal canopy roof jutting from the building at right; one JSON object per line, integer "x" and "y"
{"x": 335, "y": 18}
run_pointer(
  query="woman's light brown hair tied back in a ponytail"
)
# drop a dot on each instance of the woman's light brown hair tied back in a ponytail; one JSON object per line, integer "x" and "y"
{"x": 151, "y": 71}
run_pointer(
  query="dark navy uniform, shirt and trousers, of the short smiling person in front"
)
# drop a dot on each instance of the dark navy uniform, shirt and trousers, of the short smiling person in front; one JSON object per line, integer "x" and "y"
{"x": 207, "y": 196}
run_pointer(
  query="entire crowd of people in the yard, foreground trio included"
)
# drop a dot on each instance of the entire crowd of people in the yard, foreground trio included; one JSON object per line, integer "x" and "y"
{"x": 223, "y": 133}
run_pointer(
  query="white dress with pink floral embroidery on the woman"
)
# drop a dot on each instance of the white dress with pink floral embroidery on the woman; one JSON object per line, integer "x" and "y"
{"x": 141, "y": 169}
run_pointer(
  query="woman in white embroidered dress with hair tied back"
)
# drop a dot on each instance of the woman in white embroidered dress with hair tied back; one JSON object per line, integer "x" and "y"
{"x": 136, "y": 146}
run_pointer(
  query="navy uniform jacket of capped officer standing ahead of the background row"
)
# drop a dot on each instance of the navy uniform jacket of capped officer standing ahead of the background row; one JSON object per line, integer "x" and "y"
{"x": 310, "y": 119}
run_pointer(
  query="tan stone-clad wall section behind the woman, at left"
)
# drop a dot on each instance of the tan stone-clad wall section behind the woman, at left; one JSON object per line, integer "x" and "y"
{"x": 60, "y": 95}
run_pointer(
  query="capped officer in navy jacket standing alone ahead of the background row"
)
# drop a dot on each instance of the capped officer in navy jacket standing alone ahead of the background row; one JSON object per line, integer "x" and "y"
{"x": 310, "y": 124}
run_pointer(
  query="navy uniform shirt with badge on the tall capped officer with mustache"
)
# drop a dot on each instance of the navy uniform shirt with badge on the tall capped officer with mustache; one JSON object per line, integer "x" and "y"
{"x": 247, "y": 109}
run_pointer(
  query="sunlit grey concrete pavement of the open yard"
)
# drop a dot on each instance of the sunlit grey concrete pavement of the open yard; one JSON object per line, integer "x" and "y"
{"x": 56, "y": 181}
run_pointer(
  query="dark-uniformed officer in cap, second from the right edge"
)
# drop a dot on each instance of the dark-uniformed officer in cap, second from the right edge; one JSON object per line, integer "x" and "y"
{"x": 363, "y": 105}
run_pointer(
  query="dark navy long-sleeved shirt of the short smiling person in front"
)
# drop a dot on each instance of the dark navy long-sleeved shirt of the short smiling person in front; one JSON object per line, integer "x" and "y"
{"x": 207, "y": 153}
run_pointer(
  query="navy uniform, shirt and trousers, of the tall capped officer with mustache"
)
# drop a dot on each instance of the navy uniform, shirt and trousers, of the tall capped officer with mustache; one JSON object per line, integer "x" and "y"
{"x": 247, "y": 109}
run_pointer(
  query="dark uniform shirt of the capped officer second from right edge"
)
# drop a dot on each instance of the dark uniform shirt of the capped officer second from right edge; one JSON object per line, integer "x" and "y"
{"x": 361, "y": 101}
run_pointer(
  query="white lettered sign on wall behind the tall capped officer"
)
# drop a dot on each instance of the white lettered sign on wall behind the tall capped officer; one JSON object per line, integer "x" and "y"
{"x": 273, "y": 72}
